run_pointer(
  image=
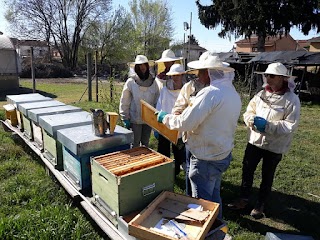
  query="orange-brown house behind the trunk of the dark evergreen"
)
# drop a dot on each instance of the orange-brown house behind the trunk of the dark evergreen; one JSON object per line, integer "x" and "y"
{"x": 276, "y": 43}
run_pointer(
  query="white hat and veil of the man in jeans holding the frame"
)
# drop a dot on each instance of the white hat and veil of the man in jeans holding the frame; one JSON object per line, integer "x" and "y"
{"x": 217, "y": 69}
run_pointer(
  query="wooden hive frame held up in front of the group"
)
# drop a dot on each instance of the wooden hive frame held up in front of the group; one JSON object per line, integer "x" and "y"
{"x": 149, "y": 117}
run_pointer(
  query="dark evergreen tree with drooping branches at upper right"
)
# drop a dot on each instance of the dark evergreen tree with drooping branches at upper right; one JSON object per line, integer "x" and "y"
{"x": 263, "y": 18}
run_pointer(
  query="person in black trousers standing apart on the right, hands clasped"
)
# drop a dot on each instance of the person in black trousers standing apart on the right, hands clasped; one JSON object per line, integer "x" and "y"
{"x": 272, "y": 116}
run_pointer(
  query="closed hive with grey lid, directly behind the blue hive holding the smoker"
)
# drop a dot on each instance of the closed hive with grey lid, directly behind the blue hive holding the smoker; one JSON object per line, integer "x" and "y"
{"x": 50, "y": 124}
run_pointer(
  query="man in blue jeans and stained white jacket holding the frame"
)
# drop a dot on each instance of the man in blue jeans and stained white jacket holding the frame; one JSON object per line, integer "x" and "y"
{"x": 211, "y": 120}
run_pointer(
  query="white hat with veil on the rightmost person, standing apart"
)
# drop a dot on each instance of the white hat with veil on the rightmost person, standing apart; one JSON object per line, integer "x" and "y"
{"x": 278, "y": 69}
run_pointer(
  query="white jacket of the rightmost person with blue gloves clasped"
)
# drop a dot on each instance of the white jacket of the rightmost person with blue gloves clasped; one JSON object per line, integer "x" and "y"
{"x": 282, "y": 113}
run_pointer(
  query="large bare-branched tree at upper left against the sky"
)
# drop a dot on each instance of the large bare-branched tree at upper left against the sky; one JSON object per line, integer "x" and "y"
{"x": 63, "y": 22}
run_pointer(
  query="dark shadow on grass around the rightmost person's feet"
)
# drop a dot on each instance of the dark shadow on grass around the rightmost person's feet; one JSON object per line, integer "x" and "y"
{"x": 282, "y": 211}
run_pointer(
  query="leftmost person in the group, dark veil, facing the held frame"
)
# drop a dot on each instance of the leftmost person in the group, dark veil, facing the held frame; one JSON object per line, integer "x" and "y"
{"x": 140, "y": 85}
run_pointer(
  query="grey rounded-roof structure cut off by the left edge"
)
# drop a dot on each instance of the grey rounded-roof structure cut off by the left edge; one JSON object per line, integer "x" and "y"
{"x": 9, "y": 64}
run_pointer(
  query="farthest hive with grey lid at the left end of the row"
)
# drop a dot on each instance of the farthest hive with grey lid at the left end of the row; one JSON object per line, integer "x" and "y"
{"x": 16, "y": 100}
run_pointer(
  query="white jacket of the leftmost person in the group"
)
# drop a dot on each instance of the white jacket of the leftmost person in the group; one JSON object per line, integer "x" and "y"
{"x": 133, "y": 91}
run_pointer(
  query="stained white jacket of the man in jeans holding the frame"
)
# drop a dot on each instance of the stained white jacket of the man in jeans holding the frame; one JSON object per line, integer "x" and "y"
{"x": 211, "y": 119}
